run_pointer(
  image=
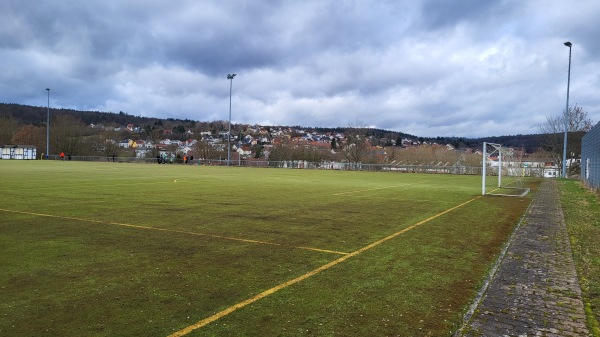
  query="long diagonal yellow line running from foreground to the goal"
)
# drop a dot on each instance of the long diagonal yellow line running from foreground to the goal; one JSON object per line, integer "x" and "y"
{"x": 268, "y": 292}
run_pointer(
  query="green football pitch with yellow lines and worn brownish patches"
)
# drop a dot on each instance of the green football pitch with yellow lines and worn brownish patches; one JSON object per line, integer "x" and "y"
{"x": 115, "y": 249}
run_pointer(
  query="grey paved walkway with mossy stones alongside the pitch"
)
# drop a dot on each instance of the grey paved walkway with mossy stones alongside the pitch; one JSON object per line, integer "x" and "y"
{"x": 535, "y": 291}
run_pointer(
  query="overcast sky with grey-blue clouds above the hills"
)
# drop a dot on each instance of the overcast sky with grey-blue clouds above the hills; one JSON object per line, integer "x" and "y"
{"x": 465, "y": 68}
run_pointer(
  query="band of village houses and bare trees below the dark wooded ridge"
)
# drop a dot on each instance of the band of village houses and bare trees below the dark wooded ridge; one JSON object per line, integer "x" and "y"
{"x": 260, "y": 144}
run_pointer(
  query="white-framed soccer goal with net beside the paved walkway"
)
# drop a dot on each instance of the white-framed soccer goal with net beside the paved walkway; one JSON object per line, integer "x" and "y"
{"x": 502, "y": 171}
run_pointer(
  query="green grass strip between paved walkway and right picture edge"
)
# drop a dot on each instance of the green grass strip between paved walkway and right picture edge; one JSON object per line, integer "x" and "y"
{"x": 581, "y": 208}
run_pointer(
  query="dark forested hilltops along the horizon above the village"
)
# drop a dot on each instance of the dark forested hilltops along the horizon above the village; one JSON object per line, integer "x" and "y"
{"x": 25, "y": 114}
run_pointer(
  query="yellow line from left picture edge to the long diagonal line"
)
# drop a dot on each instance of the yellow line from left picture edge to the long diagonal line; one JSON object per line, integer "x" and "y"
{"x": 176, "y": 231}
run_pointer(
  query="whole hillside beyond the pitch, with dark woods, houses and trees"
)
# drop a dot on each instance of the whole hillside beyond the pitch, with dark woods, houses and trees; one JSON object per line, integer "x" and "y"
{"x": 88, "y": 135}
